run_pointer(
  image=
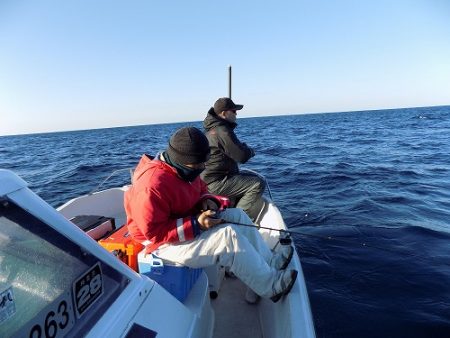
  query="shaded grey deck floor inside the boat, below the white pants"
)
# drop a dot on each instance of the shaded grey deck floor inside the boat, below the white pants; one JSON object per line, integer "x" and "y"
{"x": 234, "y": 317}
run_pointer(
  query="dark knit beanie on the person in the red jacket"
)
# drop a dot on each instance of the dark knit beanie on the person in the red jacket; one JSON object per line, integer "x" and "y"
{"x": 188, "y": 146}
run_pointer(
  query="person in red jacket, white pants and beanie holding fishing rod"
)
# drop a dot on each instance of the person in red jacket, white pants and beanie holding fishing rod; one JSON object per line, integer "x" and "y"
{"x": 170, "y": 211}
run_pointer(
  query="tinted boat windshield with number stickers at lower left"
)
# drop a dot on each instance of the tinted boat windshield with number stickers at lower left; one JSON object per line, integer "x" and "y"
{"x": 49, "y": 286}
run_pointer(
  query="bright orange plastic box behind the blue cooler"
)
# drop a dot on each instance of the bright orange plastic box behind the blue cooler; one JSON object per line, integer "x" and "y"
{"x": 123, "y": 246}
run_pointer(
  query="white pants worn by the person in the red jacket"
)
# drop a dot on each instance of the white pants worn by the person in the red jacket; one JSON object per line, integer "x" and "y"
{"x": 240, "y": 248}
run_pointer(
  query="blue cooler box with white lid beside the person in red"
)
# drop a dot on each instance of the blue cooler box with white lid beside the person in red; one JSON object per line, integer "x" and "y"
{"x": 177, "y": 279}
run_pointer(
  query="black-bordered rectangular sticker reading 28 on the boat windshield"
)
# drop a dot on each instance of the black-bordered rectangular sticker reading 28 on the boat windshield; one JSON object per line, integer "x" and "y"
{"x": 87, "y": 289}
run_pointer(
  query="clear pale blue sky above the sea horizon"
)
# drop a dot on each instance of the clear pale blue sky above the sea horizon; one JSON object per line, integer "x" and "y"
{"x": 76, "y": 64}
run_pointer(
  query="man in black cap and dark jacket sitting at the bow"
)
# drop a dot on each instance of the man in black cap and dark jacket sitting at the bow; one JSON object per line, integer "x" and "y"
{"x": 222, "y": 170}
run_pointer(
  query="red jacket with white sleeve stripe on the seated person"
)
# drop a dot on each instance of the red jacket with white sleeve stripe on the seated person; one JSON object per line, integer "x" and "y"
{"x": 160, "y": 206}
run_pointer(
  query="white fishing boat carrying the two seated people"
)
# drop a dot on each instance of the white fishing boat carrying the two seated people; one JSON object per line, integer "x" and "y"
{"x": 56, "y": 281}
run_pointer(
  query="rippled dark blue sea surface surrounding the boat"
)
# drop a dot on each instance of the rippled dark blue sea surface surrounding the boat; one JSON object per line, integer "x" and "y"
{"x": 367, "y": 192}
